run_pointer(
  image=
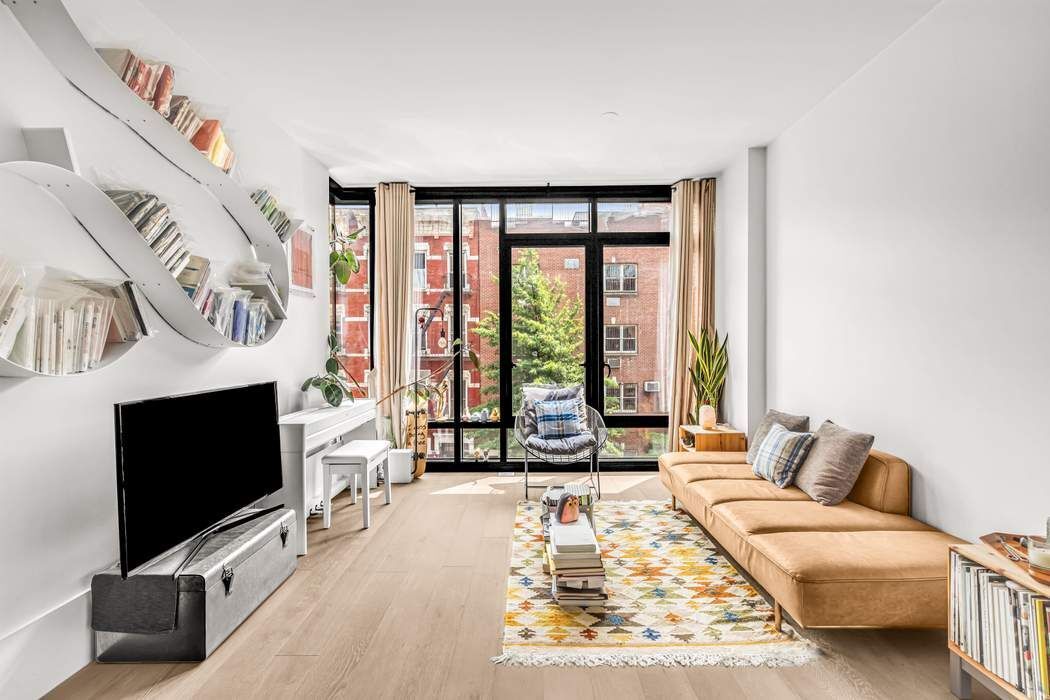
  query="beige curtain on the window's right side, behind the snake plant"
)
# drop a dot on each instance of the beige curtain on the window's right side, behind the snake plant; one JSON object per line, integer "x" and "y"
{"x": 692, "y": 287}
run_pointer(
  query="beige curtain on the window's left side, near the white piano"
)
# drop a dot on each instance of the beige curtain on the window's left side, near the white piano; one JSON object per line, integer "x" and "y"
{"x": 393, "y": 247}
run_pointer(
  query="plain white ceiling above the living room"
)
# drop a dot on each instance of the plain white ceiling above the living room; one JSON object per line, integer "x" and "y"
{"x": 471, "y": 92}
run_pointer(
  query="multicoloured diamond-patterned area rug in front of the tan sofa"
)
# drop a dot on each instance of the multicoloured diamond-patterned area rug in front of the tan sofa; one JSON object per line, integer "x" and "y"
{"x": 674, "y": 600}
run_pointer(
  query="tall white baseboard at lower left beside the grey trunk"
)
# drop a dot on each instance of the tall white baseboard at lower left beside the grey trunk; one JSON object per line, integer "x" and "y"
{"x": 46, "y": 652}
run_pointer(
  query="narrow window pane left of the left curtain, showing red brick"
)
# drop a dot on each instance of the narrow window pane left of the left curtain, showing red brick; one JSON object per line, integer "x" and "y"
{"x": 352, "y": 322}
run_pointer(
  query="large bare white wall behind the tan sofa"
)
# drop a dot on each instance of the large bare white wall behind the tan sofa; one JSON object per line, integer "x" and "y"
{"x": 909, "y": 259}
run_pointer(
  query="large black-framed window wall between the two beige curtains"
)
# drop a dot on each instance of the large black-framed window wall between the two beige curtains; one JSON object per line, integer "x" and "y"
{"x": 614, "y": 240}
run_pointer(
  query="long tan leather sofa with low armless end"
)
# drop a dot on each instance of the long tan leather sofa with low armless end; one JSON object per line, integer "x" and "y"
{"x": 865, "y": 563}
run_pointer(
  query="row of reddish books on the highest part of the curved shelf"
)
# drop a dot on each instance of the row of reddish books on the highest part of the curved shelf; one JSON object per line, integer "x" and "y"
{"x": 155, "y": 83}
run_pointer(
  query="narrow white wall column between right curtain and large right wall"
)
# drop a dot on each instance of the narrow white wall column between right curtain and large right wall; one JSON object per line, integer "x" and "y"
{"x": 741, "y": 285}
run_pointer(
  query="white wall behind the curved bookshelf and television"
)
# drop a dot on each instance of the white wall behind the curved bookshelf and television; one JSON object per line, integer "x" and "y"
{"x": 58, "y": 499}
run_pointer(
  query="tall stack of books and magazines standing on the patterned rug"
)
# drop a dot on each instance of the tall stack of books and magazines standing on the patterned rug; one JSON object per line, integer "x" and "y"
{"x": 577, "y": 572}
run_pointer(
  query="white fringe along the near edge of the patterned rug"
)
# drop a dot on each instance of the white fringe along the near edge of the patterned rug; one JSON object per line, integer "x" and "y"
{"x": 780, "y": 659}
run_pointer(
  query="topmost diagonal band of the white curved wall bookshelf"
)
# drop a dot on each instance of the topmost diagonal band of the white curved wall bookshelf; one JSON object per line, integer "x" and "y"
{"x": 56, "y": 34}
